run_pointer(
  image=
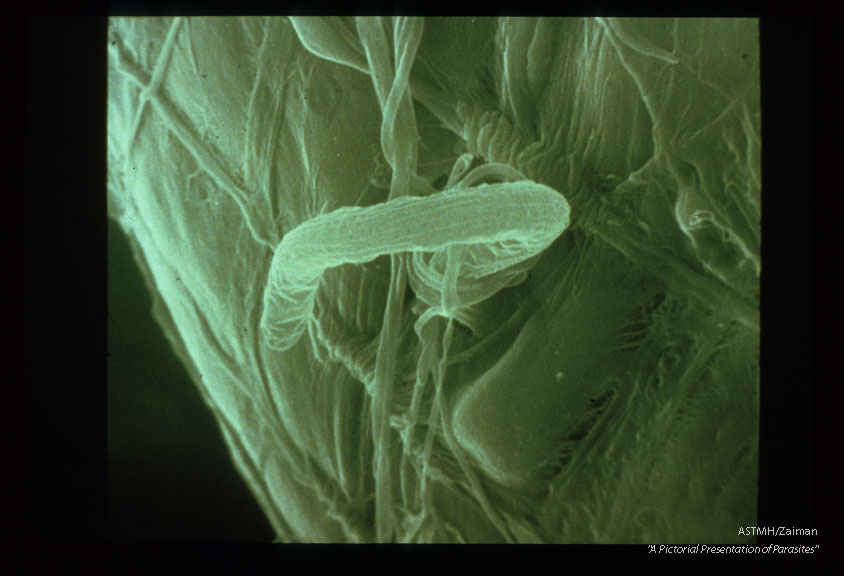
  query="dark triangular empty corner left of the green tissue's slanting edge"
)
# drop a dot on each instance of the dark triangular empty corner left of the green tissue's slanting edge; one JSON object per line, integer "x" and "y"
{"x": 170, "y": 476}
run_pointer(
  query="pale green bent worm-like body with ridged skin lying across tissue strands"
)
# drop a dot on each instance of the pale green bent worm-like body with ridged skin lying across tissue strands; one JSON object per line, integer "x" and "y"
{"x": 507, "y": 223}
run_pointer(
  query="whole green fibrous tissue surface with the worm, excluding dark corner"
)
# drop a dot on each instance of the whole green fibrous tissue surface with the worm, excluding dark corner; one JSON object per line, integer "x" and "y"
{"x": 470, "y": 280}
